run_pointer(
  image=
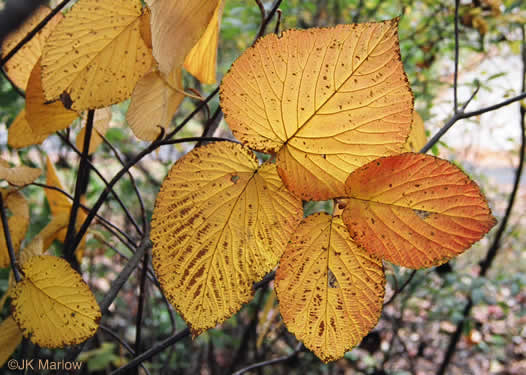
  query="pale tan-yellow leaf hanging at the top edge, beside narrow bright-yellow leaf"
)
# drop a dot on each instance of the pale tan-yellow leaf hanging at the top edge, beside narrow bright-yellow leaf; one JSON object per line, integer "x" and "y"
{"x": 176, "y": 27}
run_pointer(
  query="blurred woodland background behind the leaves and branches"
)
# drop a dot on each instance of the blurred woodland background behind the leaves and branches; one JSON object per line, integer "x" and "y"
{"x": 414, "y": 330}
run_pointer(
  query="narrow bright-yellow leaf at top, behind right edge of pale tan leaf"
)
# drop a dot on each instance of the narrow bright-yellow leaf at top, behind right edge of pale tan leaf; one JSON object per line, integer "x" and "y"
{"x": 201, "y": 60}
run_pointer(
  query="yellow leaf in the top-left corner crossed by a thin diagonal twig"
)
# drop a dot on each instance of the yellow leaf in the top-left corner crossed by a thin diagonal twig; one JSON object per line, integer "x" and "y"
{"x": 19, "y": 67}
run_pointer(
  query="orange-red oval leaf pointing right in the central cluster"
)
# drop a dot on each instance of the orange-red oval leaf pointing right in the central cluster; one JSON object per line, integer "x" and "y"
{"x": 415, "y": 210}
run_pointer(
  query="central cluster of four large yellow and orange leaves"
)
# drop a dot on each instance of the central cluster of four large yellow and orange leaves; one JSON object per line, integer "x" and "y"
{"x": 326, "y": 103}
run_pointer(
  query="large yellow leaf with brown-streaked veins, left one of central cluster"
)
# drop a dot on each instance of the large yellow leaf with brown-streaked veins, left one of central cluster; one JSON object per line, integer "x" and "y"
{"x": 220, "y": 223}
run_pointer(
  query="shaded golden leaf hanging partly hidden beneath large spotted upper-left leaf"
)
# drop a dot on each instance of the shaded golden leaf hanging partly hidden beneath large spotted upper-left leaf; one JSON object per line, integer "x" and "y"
{"x": 44, "y": 119}
